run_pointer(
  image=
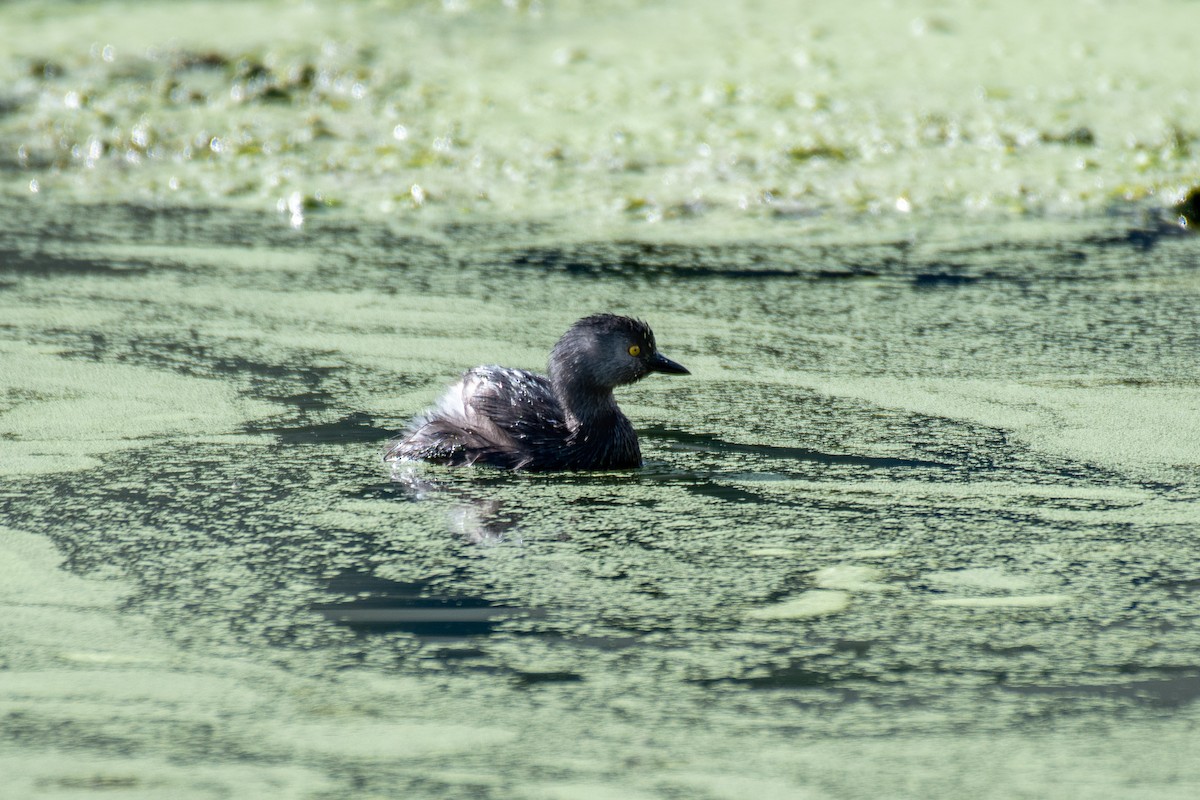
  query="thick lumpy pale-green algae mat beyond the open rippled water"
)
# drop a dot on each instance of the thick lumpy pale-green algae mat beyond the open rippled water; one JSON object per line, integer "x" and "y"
{"x": 662, "y": 116}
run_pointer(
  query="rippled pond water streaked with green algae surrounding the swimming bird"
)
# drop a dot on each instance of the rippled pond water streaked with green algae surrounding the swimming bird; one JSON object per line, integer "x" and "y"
{"x": 921, "y": 524}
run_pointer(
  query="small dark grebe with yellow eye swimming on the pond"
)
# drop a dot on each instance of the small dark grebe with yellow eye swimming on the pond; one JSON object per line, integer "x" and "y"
{"x": 520, "y": 420}
